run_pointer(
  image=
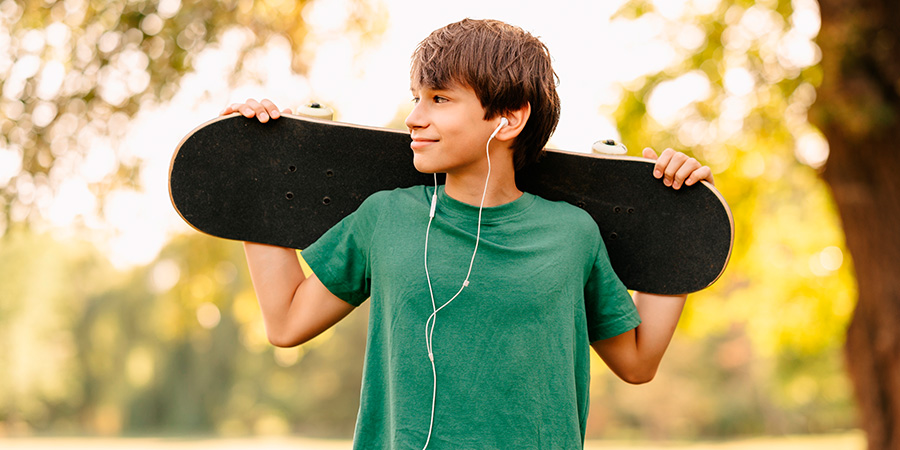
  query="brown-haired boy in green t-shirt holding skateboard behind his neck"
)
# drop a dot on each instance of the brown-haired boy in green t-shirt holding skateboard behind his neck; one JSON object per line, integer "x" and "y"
{"x": 484, "y": 299}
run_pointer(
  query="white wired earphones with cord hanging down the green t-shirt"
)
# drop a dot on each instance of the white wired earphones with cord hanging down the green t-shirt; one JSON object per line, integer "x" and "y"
{"x": 432, "y": 319}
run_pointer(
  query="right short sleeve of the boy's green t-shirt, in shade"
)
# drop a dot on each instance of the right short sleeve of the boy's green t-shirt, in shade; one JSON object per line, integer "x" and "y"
{"x": 609, "y": 308}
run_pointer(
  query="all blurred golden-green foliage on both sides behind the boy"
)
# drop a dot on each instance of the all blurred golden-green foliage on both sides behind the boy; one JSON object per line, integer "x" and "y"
{"x": 178, "y": 346}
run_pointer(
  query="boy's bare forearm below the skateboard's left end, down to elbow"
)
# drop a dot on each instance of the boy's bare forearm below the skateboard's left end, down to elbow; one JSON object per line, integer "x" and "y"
{"x": 276, "y": 275}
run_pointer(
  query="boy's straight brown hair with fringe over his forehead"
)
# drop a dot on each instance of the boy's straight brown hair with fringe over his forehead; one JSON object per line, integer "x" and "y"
{"x": 507, "y": 68}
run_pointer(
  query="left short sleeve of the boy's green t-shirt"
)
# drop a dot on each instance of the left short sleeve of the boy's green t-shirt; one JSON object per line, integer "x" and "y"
{"x": 341, "y": 257}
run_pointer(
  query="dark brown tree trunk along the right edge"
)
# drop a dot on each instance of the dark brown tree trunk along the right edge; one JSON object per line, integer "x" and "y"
{"x": 858, "y": 110}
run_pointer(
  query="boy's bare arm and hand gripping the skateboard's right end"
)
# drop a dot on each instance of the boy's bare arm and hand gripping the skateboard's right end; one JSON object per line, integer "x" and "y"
{"x": 635, "y": 355}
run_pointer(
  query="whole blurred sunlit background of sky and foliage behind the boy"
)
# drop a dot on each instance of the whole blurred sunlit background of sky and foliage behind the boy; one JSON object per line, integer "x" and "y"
{"x": 117, "y": 319}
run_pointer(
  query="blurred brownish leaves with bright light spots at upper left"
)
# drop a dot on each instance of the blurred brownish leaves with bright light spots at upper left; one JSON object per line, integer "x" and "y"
{"x": 73, "y": 72}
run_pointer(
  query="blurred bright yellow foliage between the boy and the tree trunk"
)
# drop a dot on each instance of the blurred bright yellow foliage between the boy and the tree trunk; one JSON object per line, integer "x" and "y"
{"x": 767, "y": 337}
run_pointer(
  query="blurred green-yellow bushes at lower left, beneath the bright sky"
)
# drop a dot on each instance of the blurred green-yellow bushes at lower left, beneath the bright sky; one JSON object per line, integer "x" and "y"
{"x": 176, "y": 347}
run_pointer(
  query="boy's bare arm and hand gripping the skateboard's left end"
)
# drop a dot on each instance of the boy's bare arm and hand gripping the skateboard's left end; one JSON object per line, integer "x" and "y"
{"x": 295, "y": 308}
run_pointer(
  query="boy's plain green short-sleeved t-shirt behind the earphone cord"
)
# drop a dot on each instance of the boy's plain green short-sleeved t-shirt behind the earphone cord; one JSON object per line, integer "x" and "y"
{"x": 511, "y": 352}
